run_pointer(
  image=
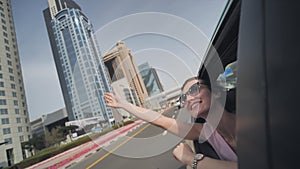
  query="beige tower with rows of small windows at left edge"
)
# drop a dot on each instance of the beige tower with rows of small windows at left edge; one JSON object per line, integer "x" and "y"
{"x": 14, "y": 118}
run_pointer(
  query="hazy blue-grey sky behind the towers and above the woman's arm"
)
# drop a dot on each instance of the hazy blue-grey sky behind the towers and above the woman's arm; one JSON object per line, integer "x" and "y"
{"x": 171, "y": 35}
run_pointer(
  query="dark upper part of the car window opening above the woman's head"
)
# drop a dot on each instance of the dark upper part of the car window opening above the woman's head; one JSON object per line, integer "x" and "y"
{"x": 223, "y": 46}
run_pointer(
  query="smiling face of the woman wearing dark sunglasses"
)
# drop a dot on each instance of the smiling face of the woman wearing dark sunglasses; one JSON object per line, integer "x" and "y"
{"x": 197, "y": 101}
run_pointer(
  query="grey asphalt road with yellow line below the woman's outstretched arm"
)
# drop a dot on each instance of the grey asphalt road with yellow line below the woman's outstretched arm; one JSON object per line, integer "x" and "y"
{"x": 147, "y": 147}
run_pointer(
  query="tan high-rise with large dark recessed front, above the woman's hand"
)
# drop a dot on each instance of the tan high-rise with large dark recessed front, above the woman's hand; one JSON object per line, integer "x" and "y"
{"x": 119, "y": 64}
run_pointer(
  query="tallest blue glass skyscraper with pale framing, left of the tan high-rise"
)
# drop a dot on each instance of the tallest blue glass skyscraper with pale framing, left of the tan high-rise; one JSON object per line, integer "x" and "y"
{"x": 78, "y": 61}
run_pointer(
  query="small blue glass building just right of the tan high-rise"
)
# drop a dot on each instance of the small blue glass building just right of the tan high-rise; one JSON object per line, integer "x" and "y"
{"x": 151, "y": 80}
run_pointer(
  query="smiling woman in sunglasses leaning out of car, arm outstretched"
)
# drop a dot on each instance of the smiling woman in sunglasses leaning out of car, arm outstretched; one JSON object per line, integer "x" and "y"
{"x": 196, "y": 98}
